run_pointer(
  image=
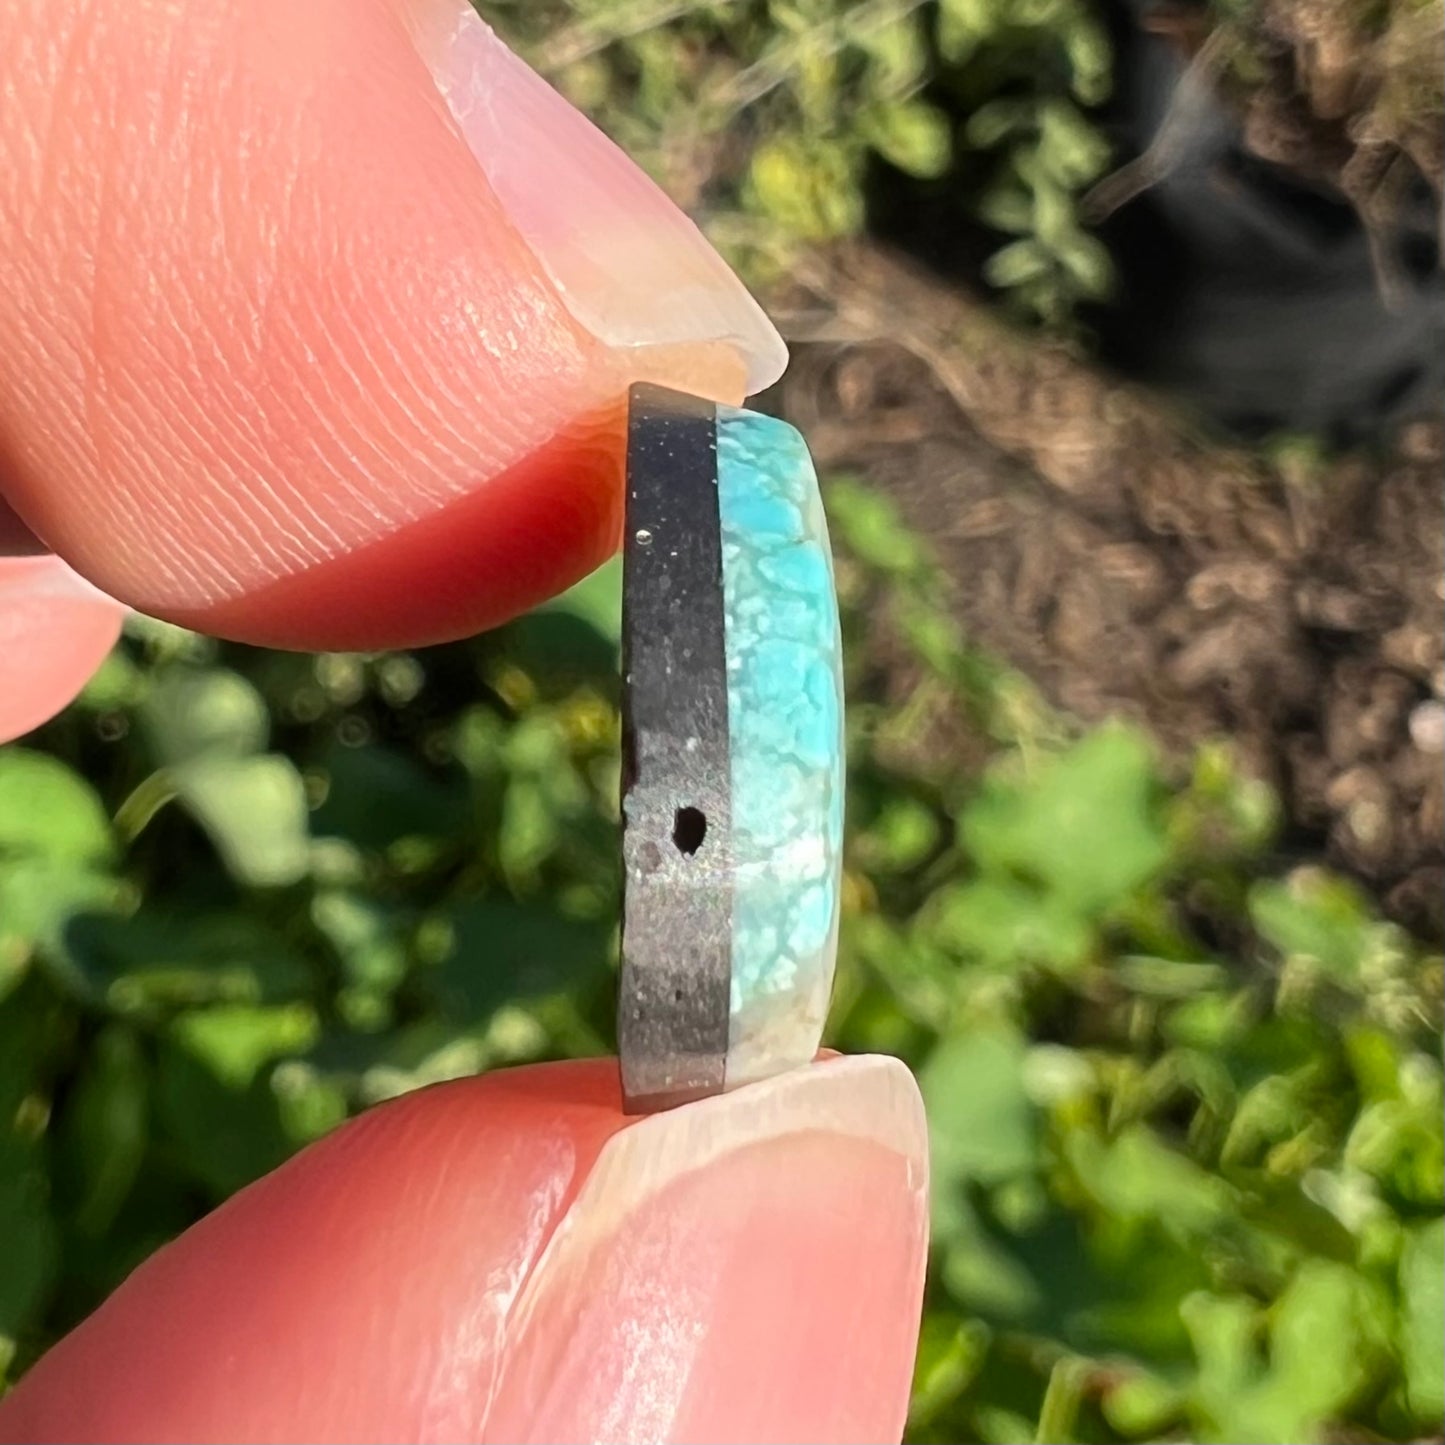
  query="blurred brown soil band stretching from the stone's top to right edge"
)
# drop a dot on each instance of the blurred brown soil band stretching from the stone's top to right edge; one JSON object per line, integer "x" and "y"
{"x": 1131, "y": 566}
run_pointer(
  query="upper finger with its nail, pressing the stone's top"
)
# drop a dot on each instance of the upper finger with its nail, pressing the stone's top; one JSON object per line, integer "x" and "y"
{"x": 320, "y": 317}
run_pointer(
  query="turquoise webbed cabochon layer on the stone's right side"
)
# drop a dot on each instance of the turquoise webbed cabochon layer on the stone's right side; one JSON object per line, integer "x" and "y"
{"x": 785, "y": 738}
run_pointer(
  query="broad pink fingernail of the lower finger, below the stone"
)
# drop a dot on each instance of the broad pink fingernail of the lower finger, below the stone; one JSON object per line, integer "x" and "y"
{"x": 746, "y": 1268}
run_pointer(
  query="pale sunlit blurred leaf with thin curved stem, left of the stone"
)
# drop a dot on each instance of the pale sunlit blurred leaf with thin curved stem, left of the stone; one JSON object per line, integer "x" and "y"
{"x": 255, "y": 810}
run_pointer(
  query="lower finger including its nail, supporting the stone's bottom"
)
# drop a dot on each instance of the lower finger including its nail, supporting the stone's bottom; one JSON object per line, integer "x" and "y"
{"x": 512, "y": 1259}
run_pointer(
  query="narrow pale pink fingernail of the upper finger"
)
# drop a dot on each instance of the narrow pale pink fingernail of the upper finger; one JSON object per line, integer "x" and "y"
{"x": 628, "y": 264}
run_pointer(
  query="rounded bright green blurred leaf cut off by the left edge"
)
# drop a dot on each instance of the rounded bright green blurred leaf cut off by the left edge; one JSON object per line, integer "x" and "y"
{"x": 47, "y": 811}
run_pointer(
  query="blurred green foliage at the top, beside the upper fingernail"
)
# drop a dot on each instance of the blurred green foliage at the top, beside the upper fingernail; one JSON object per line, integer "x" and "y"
{"x": 767, "y": 116}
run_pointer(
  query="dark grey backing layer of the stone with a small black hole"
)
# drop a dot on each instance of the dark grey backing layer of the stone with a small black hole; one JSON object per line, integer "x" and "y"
{"x": 677, "y": 954}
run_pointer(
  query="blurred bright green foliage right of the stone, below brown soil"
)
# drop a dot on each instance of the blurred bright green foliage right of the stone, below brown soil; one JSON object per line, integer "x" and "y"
{"x": 1187, "y": 1113}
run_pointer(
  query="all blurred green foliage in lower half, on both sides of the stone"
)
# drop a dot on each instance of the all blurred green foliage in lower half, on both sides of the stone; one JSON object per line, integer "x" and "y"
{"x": 1187, "y": 1113}
